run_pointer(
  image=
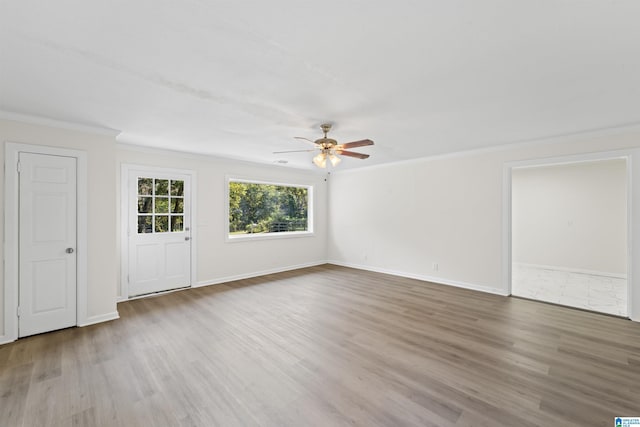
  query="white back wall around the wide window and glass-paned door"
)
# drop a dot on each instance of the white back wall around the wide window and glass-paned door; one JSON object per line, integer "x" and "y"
{"x": 217, "y": 259}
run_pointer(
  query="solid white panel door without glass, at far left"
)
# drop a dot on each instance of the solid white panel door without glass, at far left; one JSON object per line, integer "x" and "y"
{"x": 47, "y": 243}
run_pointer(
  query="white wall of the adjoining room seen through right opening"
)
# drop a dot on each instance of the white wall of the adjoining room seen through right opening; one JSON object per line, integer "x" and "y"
{"x": 571, "y": 216}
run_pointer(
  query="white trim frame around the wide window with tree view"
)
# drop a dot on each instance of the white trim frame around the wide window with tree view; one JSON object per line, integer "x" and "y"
{"x": 268, "y": 236}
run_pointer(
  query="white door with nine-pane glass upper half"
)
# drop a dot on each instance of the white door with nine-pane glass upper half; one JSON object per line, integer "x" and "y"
{"x": 159, "y": 232}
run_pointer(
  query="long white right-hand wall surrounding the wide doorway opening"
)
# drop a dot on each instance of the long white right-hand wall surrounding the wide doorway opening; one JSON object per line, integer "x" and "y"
{"x": 402, "y": 218}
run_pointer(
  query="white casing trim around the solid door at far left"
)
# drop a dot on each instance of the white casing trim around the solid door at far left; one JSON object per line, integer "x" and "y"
{"x": 12, "y": 238}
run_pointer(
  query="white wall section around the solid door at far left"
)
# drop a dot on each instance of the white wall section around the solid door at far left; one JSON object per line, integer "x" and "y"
{"x": 100, "y": 149}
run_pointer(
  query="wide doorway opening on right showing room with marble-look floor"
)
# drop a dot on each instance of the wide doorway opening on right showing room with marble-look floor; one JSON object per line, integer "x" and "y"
{"x": 569, "y": 234}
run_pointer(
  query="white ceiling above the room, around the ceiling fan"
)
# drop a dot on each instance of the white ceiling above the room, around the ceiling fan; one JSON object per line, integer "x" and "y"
{"x": 240, "y": 79}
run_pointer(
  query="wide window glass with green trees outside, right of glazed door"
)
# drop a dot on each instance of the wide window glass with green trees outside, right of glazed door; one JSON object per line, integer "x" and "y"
{"x": 259, "y": 208}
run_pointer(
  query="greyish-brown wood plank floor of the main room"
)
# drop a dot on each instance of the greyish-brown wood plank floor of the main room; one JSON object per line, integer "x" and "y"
{"x": 327, "y": 346}
